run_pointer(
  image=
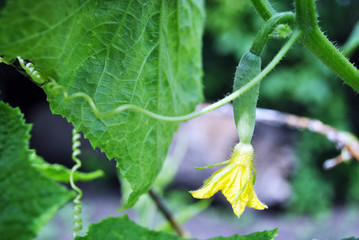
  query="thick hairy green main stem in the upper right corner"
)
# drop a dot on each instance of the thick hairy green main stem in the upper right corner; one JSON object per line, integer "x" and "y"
{"x": 314, "y": 39}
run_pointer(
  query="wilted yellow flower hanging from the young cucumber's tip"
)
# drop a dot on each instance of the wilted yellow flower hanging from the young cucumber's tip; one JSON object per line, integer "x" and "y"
{"x": 235, "y": 180}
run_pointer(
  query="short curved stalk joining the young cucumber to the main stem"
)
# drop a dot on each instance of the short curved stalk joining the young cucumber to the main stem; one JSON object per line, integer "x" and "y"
{"x": 263, "y": 35}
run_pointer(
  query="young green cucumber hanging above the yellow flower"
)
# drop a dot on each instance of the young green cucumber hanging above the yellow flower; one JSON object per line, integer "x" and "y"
{"x": 244, "y": 107}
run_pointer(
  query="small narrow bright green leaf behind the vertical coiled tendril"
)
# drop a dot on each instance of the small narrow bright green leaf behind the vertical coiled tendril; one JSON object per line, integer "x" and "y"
{"x": 61, "y": 173}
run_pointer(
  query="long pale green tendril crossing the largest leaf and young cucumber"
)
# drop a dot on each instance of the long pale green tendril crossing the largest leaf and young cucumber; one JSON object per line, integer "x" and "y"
{"x": 53, "y": 86}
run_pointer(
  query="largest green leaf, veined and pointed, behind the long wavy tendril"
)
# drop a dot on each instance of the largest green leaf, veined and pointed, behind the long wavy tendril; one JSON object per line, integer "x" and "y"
{"x": 142, "y": 52}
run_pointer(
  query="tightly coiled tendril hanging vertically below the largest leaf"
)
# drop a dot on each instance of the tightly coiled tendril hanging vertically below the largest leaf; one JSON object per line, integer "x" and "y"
{"x": 77, "y": 208}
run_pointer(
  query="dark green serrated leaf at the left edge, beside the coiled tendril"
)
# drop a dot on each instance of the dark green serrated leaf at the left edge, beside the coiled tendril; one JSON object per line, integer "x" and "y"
{"x": 28, "y": 199}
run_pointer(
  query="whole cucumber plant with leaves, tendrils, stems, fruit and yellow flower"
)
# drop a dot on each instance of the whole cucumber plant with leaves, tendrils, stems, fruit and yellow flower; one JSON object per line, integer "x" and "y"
{"x": 125, "y": 73}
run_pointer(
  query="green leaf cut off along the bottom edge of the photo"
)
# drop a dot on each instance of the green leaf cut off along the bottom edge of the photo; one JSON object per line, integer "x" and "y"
{"x": 115, "y": 228}
